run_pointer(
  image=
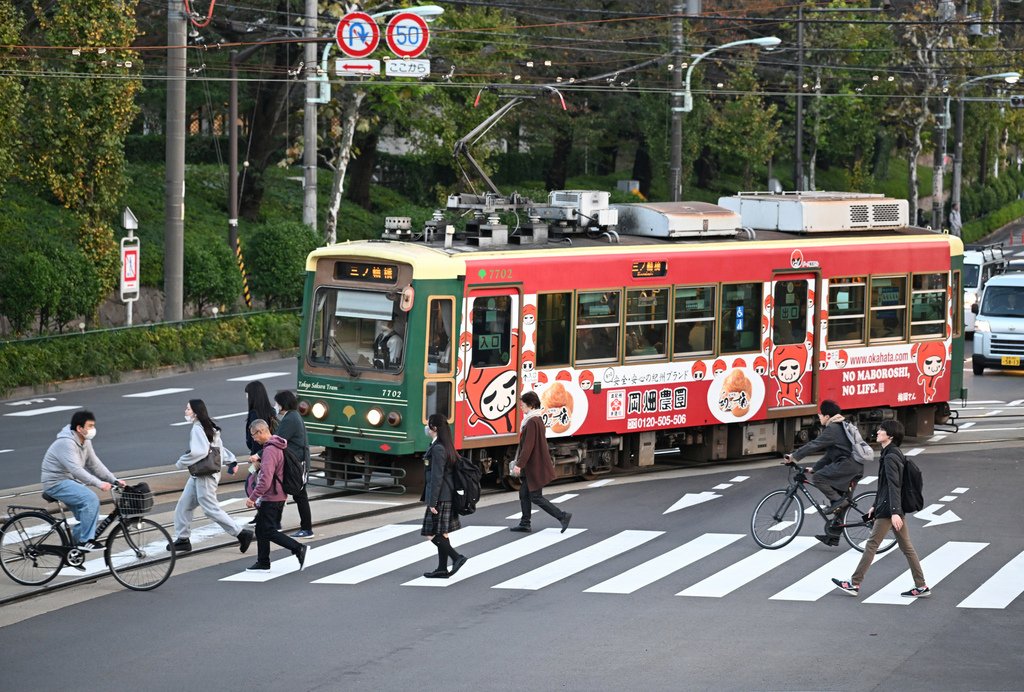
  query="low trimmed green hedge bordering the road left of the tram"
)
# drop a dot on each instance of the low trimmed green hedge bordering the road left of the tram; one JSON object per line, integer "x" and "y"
{"x": 111, "y": 353}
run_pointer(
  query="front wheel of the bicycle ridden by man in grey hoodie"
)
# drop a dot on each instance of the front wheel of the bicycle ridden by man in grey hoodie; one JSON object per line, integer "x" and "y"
{"x": 137, "y": 554}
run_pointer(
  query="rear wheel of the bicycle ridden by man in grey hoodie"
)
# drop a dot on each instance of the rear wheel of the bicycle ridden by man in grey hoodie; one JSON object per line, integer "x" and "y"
{"x": 32, "y": 548}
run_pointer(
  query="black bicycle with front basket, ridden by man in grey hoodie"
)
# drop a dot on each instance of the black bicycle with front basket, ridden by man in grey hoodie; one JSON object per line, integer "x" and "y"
{"x": 35, "y": 546}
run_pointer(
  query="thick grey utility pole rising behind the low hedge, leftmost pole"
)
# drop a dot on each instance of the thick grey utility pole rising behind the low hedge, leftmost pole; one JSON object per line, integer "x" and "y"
{"x": 175, "y": 202}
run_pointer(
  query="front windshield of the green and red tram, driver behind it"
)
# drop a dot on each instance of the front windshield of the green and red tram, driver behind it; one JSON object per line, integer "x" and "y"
{"x": 358, "y": 331}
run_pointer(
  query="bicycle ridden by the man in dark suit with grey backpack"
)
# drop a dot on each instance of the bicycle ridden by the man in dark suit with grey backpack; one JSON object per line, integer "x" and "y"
{"x": 780, "y": 516}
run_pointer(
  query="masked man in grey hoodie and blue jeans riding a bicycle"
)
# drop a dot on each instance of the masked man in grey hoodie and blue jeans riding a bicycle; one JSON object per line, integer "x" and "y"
{"x": 69, "y": 467}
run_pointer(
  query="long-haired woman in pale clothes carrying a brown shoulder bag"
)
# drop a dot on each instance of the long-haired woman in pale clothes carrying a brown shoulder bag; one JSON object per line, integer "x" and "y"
{"x": 202, "y": 491}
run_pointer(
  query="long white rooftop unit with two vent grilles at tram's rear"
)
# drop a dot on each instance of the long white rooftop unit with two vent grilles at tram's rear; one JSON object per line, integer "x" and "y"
{"x": 819, "y": 212}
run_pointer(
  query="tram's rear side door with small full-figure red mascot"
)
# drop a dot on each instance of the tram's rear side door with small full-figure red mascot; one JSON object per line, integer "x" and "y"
{"x": 793, "y": 359}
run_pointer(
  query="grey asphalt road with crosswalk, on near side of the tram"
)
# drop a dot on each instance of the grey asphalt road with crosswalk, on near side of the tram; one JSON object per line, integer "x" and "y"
{"x": 630, "y": 598}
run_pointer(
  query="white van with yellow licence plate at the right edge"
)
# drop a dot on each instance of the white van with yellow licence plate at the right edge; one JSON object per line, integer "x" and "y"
{"x": 999, "y": 327}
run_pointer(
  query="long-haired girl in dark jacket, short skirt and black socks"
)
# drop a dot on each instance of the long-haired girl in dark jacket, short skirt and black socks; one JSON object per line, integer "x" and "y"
{"x": 440, "y": 521}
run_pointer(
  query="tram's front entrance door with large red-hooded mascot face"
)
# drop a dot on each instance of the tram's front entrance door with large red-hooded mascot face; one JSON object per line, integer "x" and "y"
{"x": 490, "y": 379}
